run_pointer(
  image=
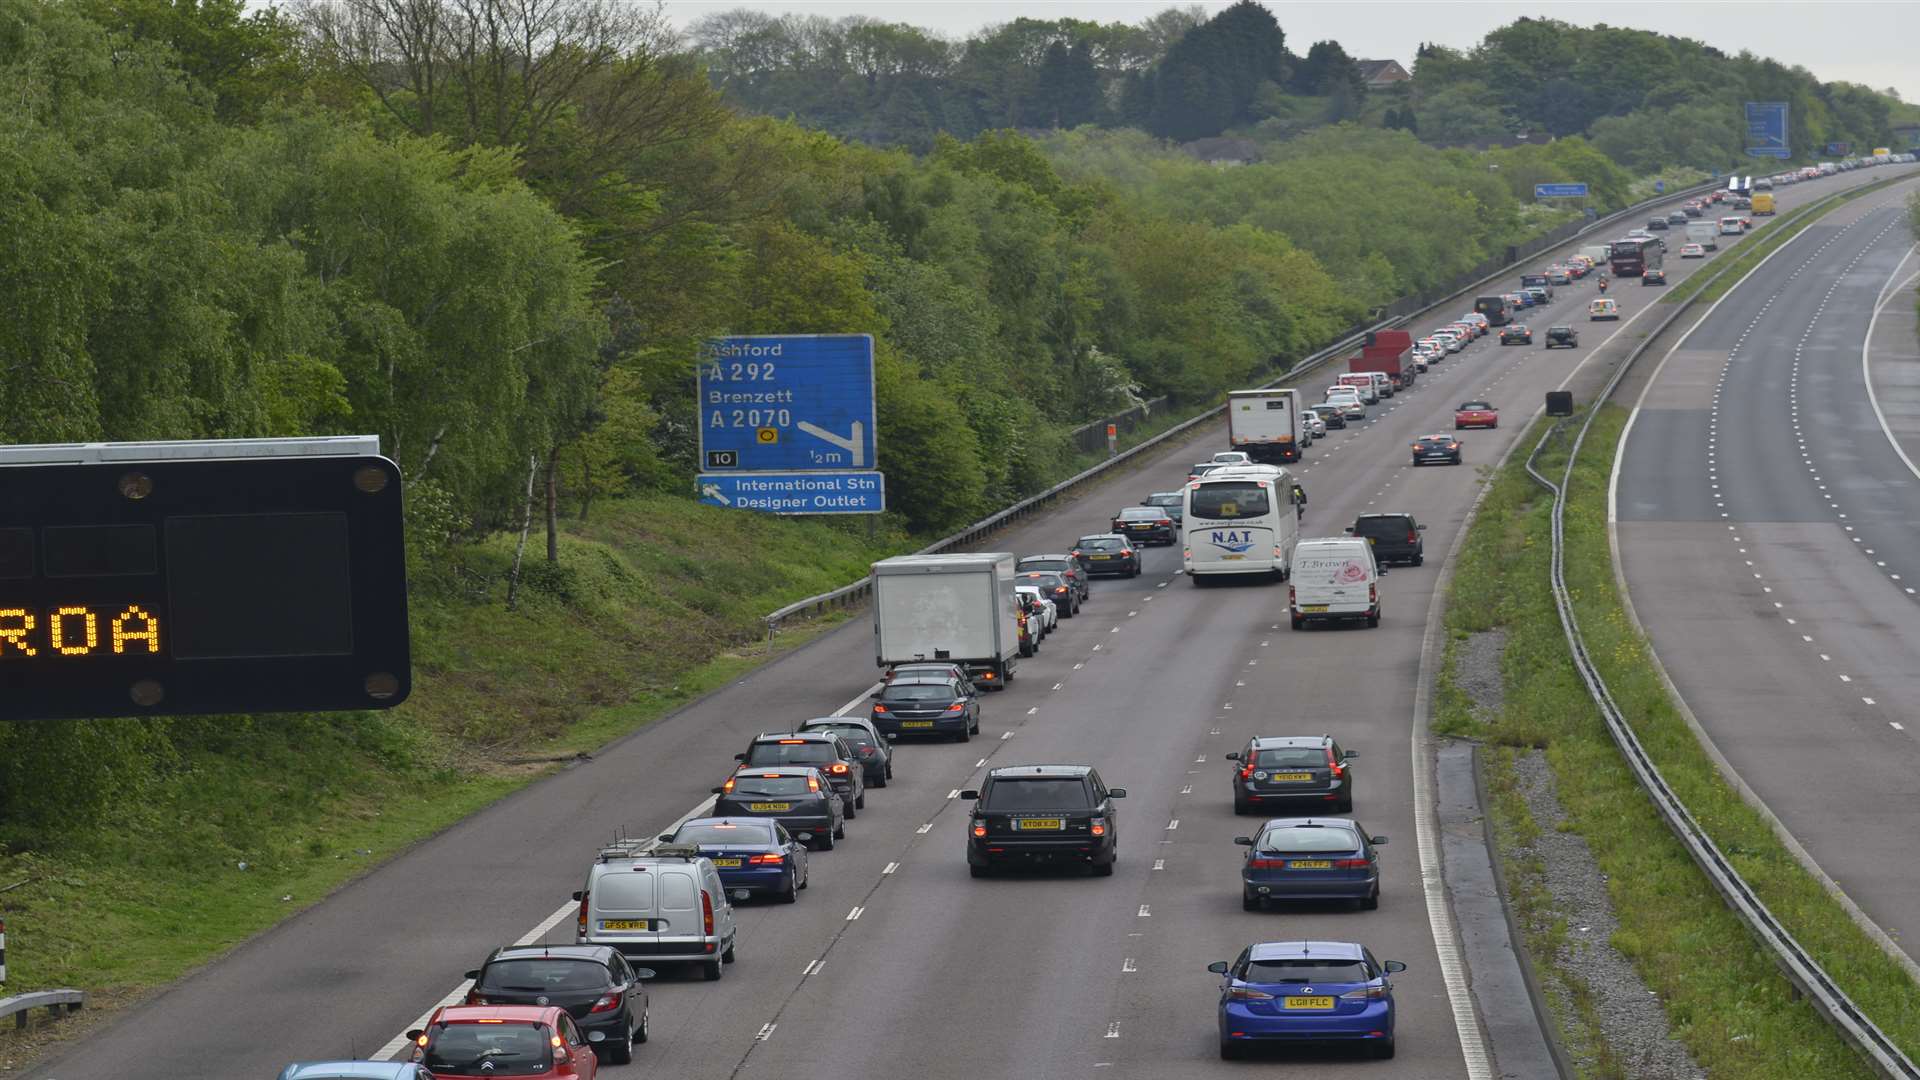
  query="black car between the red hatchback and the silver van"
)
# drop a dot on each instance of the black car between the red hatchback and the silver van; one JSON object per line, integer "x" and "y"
{"x": 598, "y": 989}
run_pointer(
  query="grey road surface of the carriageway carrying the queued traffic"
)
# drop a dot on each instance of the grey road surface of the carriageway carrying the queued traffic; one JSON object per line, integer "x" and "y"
{"x": 896, "y": 960}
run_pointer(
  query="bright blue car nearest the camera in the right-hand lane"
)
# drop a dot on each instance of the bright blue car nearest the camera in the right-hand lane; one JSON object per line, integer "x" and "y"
{"x": 1291, "y": 993}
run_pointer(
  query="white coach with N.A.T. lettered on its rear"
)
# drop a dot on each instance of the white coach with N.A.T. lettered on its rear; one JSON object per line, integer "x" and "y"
{"x": 1241, "y": 522}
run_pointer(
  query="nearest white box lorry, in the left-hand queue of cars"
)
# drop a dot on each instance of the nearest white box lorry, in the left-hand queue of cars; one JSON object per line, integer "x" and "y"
{"x": 949, "y": 608}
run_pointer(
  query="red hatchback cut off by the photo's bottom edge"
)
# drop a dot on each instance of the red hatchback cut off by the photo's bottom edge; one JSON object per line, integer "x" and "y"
{"x": 529, "y": 1043}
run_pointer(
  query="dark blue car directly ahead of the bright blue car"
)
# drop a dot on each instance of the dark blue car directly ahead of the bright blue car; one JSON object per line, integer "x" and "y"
{"x": 1310, "y": 858}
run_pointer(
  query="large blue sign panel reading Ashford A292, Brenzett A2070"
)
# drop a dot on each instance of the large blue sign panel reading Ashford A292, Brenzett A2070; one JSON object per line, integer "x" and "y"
{"x": 788, "y": 403}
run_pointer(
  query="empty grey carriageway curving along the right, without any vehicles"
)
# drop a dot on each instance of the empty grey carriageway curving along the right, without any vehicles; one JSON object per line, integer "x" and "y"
{"x": 1765, "y": 528}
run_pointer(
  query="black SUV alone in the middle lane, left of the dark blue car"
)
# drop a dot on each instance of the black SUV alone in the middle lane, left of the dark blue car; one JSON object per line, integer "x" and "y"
{"x": 1042, "y": 814}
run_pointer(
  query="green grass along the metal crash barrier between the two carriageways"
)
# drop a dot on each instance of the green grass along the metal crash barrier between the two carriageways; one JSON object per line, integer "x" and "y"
{"x": 1721, "y": 991}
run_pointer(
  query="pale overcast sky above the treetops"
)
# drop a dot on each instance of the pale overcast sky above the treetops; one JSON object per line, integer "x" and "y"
{"x": 1836, "y": 39}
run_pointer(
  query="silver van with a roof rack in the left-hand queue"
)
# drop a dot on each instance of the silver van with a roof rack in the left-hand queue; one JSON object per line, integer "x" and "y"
{"x": 658, "y": 906}
